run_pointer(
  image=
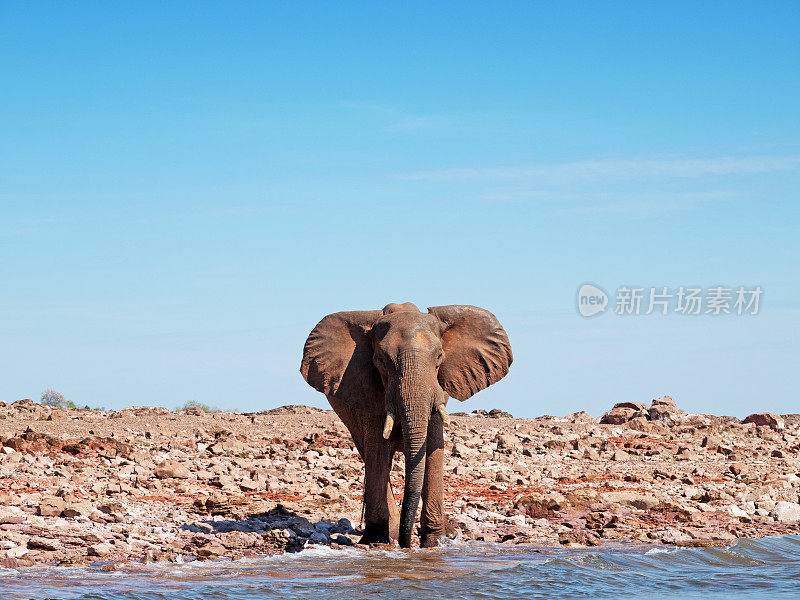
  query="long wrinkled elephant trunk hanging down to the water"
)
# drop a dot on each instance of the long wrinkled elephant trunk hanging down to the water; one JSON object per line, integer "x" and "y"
{"x": 415, "y": 398}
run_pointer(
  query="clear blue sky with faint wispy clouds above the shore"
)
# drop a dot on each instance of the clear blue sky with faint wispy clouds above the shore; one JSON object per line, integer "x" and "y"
{"x": 187, "y": 188}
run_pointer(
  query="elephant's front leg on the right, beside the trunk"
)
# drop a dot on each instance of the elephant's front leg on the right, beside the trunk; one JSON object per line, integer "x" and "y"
{"x": 433, "y": 520}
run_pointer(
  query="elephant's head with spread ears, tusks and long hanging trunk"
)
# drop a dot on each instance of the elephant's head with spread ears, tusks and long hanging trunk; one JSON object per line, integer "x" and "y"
{"x": 405, "y": 363}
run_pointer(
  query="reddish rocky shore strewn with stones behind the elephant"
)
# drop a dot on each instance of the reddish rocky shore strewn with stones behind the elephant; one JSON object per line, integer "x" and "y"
{"x": 152, "y": 484}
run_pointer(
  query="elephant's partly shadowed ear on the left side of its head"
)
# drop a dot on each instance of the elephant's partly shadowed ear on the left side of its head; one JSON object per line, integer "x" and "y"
{"x": 337, "y": 360}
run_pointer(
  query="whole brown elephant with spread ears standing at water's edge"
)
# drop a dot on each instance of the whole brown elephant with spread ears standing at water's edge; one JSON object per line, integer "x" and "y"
{"x": 388, "y": 375}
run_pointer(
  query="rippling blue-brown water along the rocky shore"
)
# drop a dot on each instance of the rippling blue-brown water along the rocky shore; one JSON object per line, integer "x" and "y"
{"x": 765, "y": 568}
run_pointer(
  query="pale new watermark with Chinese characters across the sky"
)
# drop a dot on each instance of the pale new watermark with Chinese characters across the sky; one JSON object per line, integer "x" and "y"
{"x": 684, "y": 300}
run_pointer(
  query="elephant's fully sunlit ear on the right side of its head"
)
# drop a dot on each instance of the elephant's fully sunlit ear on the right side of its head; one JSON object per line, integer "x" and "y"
{"x": 477, "y": 352}
